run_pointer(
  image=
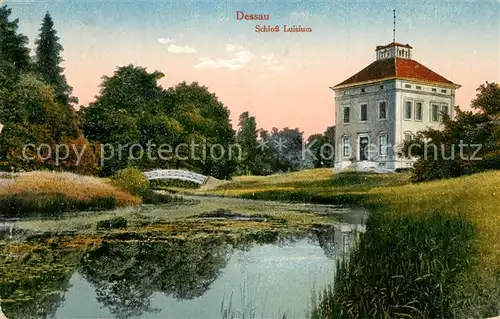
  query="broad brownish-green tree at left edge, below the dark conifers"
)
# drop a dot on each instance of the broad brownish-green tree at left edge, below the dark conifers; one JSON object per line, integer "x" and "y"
{"x": 32, "y": 116}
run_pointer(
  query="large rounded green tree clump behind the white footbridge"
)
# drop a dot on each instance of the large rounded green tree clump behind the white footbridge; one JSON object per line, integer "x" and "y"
{"x": 133, "y": 110}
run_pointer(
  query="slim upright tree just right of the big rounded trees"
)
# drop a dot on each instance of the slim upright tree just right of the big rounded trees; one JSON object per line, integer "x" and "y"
{"x": 247, "y": 139}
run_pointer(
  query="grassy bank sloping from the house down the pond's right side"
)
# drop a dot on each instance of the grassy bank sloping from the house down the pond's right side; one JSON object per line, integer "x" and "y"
{"x": 431, "y": 250}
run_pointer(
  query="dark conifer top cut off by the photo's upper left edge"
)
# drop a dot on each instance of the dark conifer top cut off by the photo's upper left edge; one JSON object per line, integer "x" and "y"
{"x": 13, "y": 48}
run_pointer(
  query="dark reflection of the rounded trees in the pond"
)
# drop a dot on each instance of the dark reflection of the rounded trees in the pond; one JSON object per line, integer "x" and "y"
{"x": 125, "y": 275}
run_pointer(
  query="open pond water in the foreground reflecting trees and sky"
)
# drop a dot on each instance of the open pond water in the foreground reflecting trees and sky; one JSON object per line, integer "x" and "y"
{"x": 258, "y": 275}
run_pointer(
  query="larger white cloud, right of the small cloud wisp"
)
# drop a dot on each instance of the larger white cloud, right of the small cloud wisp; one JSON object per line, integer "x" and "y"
{"x": 242, "y": 57}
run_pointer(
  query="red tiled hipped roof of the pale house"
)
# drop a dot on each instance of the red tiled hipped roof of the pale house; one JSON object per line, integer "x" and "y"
{"x": 396, "y": 68}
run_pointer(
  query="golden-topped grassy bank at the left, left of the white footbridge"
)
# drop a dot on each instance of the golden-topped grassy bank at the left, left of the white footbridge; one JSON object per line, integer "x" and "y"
{"x": 53, "y": 193}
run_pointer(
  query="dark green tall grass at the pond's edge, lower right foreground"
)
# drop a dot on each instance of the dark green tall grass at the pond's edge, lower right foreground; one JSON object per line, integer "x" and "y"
{"x": 403, "y": 267}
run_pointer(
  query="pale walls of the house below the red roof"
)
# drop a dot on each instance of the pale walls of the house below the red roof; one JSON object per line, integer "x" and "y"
{"x": 395, "y": 93}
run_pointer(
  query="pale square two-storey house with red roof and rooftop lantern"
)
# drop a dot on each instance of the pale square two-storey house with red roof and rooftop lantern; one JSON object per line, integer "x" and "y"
{"x": 391, "y": 99}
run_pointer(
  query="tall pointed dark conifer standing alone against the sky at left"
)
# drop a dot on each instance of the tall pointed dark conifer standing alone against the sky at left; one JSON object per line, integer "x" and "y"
{"x": 48, "y": 61}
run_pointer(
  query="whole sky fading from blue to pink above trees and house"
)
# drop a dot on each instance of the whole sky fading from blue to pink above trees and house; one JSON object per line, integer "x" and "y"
{"x": 282, "y": 79}
